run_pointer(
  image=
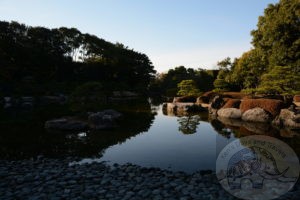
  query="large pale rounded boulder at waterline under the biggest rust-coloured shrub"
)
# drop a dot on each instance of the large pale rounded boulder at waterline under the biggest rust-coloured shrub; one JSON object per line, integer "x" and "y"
{"x": 256, "y": 115}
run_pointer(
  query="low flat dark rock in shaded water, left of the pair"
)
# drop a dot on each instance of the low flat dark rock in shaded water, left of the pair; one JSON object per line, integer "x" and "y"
{"x": 65, "y": 124}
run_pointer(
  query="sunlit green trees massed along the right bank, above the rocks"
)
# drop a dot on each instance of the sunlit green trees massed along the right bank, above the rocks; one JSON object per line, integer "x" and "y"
{"x": 272, "y": 66}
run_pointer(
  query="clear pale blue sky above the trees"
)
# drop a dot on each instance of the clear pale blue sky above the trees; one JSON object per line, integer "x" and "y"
{"x": 192, "y": 33}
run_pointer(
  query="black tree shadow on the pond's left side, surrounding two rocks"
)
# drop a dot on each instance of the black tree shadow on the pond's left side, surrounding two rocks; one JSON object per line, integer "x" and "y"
{"x": 23, "y": 135}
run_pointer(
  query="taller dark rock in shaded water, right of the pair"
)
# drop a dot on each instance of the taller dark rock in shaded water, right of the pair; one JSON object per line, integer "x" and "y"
{"x": 103, "y": 120}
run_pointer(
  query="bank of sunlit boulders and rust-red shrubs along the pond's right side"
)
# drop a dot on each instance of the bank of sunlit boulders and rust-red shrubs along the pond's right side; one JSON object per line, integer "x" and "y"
{"x": 277, "y": 110}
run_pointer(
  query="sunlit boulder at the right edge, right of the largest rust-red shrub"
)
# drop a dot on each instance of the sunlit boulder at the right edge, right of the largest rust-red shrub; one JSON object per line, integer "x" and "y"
{"x": 288, "y": 118}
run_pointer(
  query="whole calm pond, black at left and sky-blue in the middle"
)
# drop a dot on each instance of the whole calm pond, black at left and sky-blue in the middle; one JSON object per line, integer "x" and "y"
{"x": 146, "y": 136}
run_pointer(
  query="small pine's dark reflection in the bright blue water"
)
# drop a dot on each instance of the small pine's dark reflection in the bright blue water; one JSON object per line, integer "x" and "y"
{"x": 188, "y": 124}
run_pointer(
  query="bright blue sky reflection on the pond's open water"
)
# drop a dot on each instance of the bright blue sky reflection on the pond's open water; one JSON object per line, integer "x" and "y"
{"x": 168, "y": 145}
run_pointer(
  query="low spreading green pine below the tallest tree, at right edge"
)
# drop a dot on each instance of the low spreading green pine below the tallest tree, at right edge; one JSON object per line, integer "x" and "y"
{"x": 280, "y": 80}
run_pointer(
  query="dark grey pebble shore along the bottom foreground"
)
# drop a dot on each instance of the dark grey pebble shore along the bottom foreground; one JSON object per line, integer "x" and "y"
{"x": 58, "y": 179}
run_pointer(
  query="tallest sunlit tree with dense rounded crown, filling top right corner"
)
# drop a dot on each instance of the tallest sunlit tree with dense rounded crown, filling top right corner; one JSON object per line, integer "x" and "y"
{"x": 278, "y": 34}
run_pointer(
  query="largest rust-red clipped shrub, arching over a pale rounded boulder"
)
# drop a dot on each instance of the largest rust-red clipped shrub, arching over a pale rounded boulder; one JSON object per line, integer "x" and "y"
{"x": 270, "y": 105}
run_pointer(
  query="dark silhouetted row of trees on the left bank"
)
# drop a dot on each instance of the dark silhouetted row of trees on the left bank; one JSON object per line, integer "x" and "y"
{"x": 41, "y": 61}
